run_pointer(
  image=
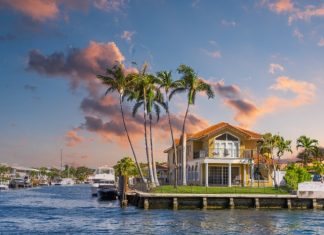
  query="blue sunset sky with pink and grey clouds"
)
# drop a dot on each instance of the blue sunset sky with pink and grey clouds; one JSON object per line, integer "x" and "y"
{"x": 263, "y": 58}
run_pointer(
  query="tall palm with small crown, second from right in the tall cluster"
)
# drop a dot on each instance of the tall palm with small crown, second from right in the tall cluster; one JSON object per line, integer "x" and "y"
{"x": 166, "y": 83}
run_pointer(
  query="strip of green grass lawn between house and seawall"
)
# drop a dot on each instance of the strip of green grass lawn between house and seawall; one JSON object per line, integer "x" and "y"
{"x": 218, "y": 190}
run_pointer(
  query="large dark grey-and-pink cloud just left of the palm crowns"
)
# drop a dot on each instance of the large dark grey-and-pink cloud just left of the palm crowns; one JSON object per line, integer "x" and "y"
{"x": 78, "y": 66}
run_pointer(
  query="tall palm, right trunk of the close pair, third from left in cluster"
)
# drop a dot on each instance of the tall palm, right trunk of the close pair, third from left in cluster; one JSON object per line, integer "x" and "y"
{"x": 154, "y": 101}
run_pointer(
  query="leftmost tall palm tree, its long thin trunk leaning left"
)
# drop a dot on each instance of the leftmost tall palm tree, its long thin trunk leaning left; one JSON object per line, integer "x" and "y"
{"x": 117, "y": 81}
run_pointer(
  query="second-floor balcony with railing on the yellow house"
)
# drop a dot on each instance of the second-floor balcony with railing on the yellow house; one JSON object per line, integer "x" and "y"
{"x": 225, "y": 153}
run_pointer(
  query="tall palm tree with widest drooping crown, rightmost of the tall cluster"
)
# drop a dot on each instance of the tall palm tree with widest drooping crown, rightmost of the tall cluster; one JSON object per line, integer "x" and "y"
{"x": 192, "y": 84}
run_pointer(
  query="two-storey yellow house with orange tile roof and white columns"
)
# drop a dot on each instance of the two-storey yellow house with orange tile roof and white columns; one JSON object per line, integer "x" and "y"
{"x": 220, "y": 155}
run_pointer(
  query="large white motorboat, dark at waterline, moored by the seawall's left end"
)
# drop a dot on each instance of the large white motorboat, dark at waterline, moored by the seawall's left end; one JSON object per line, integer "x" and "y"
{"x": 104, "y": 183}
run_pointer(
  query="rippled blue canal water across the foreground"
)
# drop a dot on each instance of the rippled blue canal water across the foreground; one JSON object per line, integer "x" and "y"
{"x": 72, "y": 210}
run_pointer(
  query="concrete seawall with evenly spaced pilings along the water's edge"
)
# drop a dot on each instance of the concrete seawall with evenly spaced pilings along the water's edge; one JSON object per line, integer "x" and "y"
{"x": 221, "y": 201}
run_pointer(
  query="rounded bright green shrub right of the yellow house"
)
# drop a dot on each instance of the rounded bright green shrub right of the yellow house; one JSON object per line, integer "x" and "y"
{"x": 296, "y": 174}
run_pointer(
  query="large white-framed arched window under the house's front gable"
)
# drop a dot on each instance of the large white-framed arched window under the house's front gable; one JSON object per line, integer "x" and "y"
{"x": 227, "y": 146}
